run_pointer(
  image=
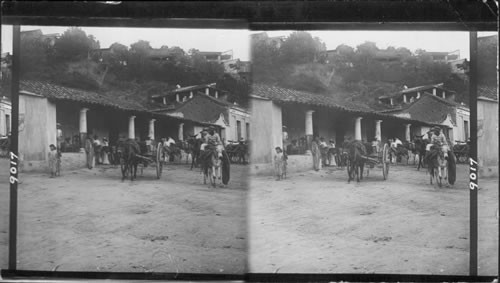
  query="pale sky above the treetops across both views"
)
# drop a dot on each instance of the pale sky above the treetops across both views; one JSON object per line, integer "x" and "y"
{"x": 238, "y": 40}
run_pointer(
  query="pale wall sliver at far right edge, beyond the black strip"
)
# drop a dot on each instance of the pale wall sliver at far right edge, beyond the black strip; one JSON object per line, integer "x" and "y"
{"x": 487, "y": 138}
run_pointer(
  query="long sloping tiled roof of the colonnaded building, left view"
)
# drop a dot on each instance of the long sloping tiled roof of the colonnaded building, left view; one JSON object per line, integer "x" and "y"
{"x": 58, "y": 92}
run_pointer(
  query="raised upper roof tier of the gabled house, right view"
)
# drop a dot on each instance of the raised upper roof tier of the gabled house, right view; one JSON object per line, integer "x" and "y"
{"x": 409, "y": 95}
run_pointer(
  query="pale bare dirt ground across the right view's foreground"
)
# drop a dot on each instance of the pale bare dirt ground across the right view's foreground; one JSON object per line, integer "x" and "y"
{"x": 315, "y": 222}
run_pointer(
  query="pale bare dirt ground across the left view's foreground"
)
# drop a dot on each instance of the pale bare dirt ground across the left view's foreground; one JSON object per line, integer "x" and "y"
{"x": 89, "y": 220}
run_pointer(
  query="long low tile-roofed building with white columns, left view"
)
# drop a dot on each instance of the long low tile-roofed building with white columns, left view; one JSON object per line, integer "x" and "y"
{"x": 83, "y": 113}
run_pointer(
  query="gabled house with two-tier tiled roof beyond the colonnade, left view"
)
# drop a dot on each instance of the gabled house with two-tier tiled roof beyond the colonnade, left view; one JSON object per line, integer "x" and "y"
{"x": 205, "y": 103}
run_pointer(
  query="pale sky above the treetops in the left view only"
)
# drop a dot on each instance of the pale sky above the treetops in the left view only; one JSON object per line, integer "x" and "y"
{"x": 201, "y": 39}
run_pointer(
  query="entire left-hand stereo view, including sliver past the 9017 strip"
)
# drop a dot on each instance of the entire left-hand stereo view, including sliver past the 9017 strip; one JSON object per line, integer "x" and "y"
{"x": 132, "y": 149}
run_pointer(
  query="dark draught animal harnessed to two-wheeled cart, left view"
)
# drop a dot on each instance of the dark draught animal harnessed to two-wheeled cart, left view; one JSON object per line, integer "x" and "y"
{"x": 147, "y": 157}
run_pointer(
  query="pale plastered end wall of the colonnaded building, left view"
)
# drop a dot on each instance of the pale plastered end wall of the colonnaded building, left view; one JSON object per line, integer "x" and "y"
{"x": 37, "y": 130}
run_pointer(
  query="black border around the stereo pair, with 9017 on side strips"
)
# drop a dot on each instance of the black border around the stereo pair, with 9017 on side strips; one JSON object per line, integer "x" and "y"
{"x": 460, "y": 15}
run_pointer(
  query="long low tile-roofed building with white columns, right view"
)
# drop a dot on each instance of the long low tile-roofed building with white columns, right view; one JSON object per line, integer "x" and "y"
{"x": 305, "y": 115}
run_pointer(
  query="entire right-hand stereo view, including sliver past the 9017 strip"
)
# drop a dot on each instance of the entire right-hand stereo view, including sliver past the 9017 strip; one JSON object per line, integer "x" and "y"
{"x": 359, "y": 153}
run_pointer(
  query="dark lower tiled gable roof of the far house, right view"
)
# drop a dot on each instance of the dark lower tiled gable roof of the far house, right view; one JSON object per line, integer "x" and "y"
{"x": 429, "y": 109}
